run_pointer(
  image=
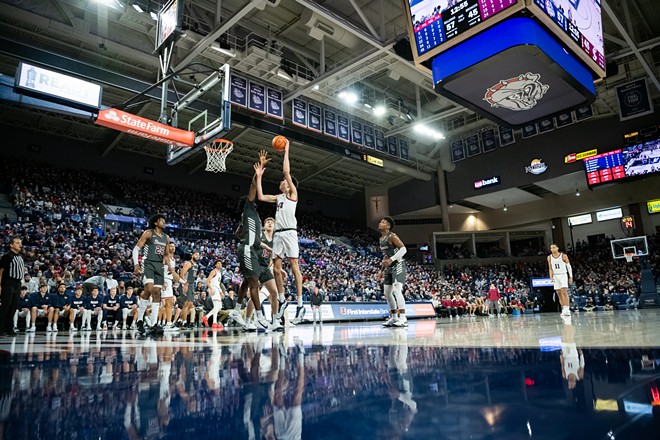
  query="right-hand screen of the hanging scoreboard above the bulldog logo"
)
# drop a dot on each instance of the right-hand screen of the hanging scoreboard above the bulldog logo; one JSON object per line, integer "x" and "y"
{"x": 581, "y": 21}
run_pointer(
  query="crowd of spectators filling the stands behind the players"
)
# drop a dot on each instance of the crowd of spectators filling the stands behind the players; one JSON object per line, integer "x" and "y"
{"x": 65, "y": 242}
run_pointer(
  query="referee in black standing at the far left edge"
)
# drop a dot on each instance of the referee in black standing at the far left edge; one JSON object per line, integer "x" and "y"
{"x": 11, "y": 274}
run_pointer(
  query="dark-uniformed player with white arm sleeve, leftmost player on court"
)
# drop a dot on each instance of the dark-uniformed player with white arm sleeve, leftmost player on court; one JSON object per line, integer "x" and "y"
{"x": 154, "y": 243}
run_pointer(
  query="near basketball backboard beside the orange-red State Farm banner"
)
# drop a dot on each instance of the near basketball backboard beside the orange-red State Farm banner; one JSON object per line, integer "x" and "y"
{"x": 208, "y": 125}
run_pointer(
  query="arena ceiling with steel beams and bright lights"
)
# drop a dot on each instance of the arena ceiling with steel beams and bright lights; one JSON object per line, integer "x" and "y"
{"x": 362, "y": 53}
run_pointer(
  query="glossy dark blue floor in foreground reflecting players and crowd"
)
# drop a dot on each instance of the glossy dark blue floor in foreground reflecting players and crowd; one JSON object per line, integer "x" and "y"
{"x": 282, "y": 387}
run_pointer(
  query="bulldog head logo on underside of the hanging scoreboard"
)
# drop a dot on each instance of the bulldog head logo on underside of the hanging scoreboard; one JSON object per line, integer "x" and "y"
{"x": 520, "y": 93}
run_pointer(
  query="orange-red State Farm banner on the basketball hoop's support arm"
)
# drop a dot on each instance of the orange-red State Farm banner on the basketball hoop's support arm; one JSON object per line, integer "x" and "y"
{"x": 143, "y": 127}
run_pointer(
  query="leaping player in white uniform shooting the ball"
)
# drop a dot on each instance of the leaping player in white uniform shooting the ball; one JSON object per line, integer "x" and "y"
{"x": 285, "y": 242}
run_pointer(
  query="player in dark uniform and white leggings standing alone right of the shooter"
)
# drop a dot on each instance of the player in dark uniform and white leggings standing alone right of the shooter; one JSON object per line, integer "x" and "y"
{"x": 394, "y": 272}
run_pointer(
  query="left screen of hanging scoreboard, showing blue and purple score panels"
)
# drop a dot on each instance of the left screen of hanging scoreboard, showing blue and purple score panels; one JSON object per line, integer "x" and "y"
{"x": 434, "y": 22}
